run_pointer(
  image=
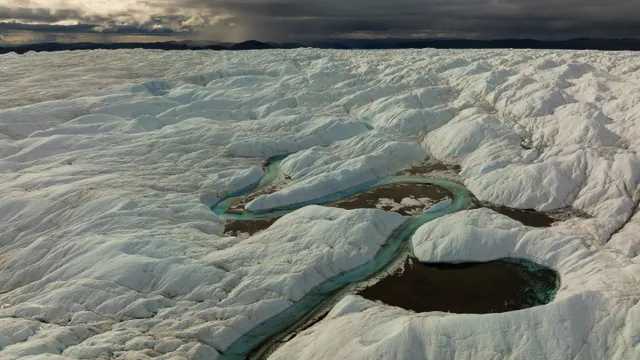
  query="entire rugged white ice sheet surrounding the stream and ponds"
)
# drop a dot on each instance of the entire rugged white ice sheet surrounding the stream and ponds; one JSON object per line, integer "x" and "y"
{"x": 108, "y": 249}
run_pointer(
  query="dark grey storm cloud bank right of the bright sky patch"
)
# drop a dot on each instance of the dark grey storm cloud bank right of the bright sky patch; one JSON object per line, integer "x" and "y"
{"x": 479, "y": 18}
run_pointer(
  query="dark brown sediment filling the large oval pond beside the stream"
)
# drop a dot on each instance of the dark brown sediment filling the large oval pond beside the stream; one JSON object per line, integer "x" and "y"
{"x": 473, "y": 288}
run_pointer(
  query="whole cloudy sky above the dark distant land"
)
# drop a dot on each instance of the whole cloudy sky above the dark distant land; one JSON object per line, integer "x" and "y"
{"x": 299, "y": 20}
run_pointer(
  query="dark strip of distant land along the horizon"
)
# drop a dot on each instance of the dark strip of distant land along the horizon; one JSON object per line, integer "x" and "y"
{"x": 572, "y": 44}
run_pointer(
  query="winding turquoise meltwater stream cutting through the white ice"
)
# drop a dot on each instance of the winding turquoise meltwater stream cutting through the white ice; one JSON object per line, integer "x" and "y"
{"x": 263, "y": 331}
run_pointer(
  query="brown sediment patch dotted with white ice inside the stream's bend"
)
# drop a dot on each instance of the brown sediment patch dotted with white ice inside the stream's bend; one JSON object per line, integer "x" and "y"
{"x": 371, "y": 198}
